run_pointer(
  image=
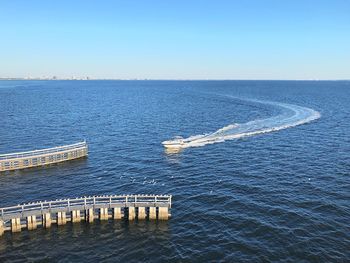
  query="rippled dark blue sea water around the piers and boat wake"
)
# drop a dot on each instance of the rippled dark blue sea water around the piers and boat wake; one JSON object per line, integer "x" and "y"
{"x": 276, "y": 196}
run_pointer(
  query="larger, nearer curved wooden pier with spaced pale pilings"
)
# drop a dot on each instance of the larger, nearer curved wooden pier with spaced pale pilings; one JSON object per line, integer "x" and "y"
{"x": 59, "y": 212}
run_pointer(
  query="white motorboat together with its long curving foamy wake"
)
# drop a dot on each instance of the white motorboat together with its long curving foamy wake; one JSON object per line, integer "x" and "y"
{"x": 291, "y": 116}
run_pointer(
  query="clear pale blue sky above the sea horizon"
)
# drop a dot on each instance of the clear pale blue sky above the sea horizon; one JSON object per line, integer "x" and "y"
{"x": 175, "y": 39}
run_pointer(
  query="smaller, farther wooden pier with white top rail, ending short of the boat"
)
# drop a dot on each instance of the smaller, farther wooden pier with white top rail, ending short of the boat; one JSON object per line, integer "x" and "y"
{"x": 14, "y": 161}
